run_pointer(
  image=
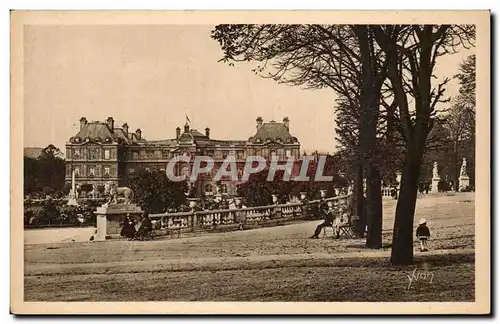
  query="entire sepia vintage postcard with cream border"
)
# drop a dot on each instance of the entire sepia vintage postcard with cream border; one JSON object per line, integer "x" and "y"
{"x": 246, "y": 162}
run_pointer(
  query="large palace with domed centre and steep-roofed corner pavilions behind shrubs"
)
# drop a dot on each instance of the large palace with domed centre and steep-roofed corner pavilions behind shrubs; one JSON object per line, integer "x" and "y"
{"x": 101, "y": 152}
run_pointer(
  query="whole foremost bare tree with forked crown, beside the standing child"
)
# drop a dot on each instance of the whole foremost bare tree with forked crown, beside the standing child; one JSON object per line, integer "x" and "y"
{"x": 412, "y": 52}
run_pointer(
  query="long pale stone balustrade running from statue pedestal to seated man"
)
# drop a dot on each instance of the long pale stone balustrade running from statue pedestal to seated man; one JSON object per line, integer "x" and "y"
{"x": 207, "y": 220}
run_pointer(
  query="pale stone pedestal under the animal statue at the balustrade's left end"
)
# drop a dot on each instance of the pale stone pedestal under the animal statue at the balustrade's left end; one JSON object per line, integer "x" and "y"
{"x": 109, "y": 219}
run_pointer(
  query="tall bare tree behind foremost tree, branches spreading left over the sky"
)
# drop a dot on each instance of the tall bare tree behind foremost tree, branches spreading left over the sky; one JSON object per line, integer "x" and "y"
{"x": 344, "y": 58}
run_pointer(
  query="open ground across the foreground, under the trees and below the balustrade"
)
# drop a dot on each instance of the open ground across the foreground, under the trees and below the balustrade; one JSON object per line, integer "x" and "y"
{"x": 268, "y": 264}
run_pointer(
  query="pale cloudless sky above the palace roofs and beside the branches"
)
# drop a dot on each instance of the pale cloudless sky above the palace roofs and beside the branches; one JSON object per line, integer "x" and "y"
{"x": 152, "y": 76}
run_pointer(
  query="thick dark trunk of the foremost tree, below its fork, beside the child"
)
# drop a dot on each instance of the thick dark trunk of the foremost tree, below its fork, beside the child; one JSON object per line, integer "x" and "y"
{"x": 402, "y": 241}
